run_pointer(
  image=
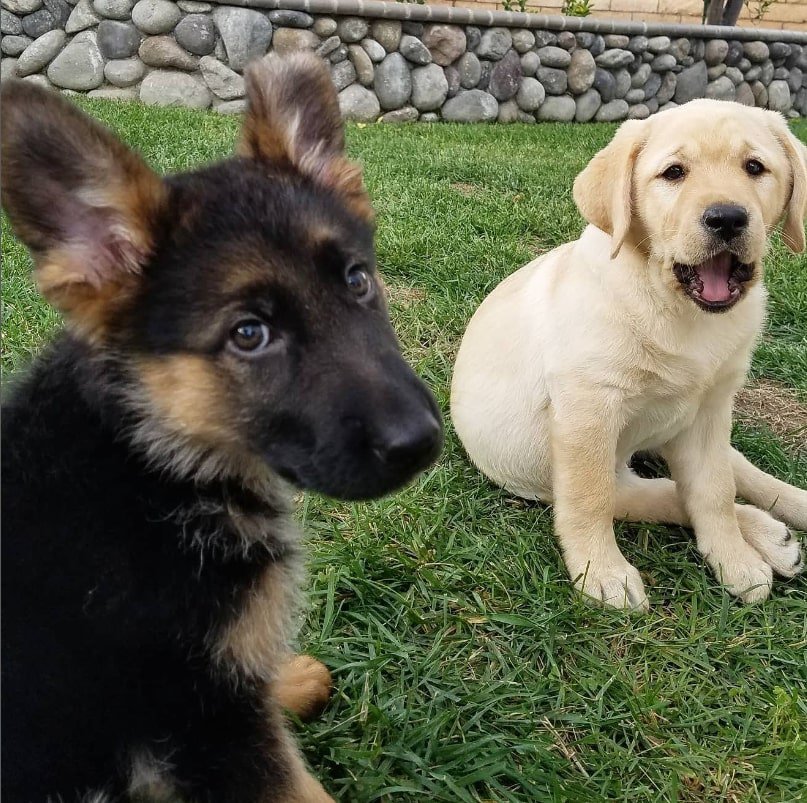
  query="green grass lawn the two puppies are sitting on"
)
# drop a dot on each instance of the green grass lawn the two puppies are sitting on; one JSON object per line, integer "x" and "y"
{"x": 466, "y": 669}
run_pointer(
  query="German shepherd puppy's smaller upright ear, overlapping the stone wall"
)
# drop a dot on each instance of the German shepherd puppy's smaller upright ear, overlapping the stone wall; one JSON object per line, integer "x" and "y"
{"x": 293, "y": 120}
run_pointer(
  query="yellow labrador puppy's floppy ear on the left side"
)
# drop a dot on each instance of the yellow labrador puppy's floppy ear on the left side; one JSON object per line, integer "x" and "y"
{"x": 603, "y": 191}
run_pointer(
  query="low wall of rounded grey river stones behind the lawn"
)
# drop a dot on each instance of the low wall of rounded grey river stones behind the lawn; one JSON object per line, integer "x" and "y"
{"x": 399, "y": 62}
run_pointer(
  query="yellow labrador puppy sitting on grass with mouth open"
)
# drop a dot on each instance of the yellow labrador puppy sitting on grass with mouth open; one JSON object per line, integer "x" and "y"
{"x": 636, "y": 337}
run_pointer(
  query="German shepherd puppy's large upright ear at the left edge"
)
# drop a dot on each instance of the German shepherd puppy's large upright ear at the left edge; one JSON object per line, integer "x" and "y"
{"x": 83, "y": 202}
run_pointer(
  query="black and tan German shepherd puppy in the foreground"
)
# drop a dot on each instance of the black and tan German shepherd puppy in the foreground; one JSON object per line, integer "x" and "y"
{"x": 227, "y": 338}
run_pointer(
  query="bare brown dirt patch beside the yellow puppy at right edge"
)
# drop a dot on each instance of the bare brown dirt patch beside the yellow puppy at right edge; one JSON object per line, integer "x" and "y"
{"x": 776, "y": 406}
